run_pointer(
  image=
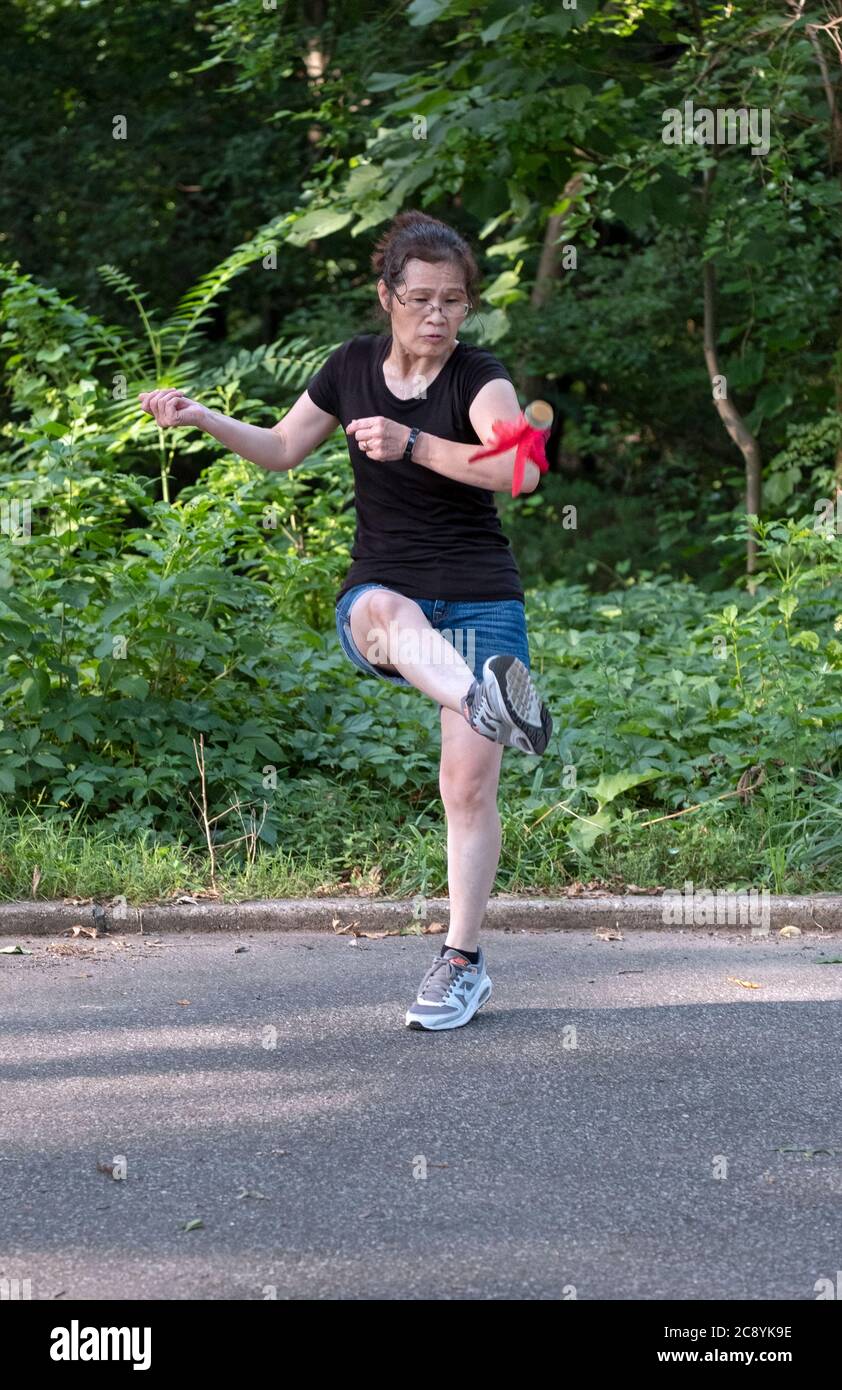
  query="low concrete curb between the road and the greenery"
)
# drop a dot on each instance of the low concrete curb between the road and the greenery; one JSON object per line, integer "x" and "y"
{"x": 758, "y": 914}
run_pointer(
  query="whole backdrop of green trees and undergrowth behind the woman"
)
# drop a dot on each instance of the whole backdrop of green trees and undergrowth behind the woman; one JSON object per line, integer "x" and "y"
{"x": 170, "y": 593}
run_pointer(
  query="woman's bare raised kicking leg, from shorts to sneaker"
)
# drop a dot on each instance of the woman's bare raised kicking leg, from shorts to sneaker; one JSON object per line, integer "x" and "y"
{"x": 393, "y": 632}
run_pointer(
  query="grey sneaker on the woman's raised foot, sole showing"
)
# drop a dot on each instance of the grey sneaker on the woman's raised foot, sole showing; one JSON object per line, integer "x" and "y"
{"x": 506, "y": 708}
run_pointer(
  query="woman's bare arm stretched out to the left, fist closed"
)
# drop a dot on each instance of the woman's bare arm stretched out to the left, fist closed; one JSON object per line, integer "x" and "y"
{"x": 279, "y": 450}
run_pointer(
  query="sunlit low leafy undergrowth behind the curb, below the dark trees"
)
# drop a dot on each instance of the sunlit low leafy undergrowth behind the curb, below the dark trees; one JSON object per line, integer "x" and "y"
{"x": 135, "y": 623}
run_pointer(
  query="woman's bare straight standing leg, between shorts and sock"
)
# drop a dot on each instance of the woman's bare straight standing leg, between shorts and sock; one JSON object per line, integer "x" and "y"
{"x": 469, "y": 776}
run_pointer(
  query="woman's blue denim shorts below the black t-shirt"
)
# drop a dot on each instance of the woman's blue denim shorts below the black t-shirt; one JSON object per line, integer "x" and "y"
{"x": 477, "y": 629}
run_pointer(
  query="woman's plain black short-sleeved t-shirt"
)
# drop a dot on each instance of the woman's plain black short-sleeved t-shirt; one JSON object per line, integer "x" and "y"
{"x": 418, "y": 532}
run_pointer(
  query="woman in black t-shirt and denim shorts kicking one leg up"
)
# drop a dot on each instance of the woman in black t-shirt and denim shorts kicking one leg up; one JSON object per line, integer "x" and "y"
{"x": 434, "y": 597}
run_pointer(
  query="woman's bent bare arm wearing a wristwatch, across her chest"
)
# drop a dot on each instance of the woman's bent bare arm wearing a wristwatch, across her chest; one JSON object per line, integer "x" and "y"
{"x": 497, "y": 401}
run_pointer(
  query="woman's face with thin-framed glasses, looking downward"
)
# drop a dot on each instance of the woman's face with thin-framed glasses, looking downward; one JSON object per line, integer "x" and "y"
{"x": 420, "y": 330}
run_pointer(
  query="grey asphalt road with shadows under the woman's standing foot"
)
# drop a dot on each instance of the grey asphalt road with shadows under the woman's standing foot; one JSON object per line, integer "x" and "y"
{"x": 622, "y": 1121}
